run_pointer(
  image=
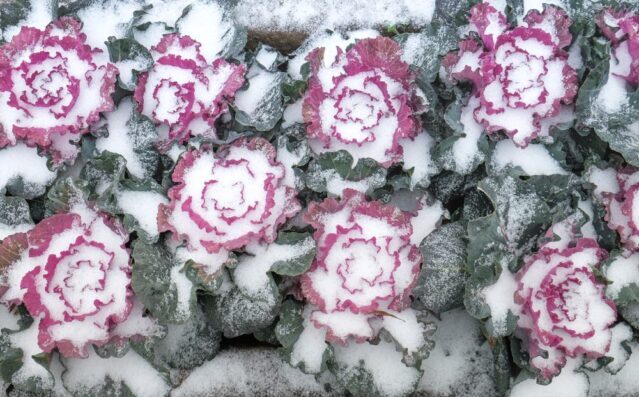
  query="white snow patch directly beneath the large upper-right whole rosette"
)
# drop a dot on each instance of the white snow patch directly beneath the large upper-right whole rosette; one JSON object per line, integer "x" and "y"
{"x": 534, "y": 159}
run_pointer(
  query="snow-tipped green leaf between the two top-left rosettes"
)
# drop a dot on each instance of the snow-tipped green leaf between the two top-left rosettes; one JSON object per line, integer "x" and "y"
{"x": 131, "y": 57}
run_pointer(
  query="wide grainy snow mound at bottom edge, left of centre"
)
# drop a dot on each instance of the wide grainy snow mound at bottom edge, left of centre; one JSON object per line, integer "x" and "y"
{"x": 244, "y": 372}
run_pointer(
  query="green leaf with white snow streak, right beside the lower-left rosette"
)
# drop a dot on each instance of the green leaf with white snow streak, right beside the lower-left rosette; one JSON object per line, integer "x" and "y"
{"x": 160, "y": 283}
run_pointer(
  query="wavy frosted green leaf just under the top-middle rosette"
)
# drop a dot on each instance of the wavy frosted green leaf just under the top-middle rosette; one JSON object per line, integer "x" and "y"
{"x": 338, "y": 165}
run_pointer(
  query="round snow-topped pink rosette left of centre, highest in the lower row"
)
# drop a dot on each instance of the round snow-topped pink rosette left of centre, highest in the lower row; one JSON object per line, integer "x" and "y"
{"x": 227, "y": 199}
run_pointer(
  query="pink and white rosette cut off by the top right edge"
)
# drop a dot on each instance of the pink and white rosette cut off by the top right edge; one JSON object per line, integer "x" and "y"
{"x": 622, "y": 29}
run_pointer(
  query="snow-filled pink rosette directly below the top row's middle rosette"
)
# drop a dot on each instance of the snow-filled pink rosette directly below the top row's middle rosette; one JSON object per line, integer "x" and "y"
{"x": 365, "y": 265}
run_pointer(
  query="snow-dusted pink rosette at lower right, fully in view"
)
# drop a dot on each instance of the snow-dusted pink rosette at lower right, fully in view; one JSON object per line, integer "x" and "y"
{"x": 563, "y": 308}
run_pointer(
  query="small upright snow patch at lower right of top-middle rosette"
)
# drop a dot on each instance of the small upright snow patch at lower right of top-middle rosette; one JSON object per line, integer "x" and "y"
{"x": 417, "y": 157}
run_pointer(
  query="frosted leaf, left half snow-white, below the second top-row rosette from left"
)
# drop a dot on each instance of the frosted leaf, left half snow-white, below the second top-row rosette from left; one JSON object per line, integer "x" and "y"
{"x": 132, "y": 136}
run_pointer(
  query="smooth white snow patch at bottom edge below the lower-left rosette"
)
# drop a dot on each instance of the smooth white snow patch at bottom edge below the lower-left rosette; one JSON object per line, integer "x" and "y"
{"x": 86, "y": 376}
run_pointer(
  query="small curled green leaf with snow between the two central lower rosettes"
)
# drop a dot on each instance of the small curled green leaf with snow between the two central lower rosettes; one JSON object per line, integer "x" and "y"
{"x": 304, "y": 244}
